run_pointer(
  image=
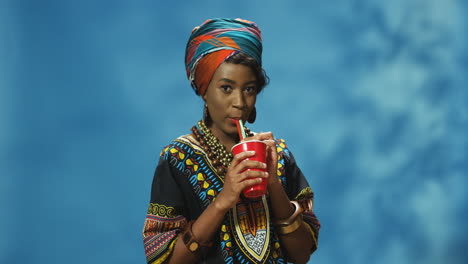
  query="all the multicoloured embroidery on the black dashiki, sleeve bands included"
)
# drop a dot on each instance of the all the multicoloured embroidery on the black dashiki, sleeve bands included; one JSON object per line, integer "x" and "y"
{"x": 246, "y": 235}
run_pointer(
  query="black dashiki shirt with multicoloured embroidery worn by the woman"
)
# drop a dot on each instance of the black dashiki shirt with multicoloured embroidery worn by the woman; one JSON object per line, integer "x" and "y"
{"x": 185, "y": 183}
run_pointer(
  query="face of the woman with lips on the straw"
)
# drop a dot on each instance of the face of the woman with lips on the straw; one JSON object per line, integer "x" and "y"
{"x": 231, "y": 95}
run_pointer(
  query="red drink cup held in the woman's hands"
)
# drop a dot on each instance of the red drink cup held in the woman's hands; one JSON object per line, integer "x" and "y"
{"x": 259, "y": 147}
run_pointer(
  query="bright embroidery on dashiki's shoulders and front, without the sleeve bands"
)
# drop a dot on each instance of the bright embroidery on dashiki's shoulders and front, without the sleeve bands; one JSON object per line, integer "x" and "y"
{"x": 249, "y": 226}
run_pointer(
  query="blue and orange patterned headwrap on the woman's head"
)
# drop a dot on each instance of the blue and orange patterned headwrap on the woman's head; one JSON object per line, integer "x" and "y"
{"x": 213, "y": 42}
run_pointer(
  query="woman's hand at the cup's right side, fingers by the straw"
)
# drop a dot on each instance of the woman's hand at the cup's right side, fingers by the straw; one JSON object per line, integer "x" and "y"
{"x": 271, "y": 154}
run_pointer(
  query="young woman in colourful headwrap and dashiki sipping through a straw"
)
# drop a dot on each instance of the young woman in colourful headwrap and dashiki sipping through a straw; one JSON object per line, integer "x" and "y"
{"x": 197, "y": 213}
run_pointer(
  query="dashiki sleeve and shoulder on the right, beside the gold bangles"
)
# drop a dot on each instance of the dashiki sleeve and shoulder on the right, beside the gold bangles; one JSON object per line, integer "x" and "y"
{"x": 297, "y": 188}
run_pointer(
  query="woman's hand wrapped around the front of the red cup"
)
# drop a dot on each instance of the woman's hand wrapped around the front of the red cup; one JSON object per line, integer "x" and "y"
{"x": 236, "y": 179}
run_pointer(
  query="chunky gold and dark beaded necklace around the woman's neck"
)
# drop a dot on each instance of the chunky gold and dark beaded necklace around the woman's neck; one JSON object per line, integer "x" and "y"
{"x": 217, "y": 153}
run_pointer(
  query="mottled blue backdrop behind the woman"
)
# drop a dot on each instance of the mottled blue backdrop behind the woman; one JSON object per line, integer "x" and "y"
{"x": 371, "y": 97}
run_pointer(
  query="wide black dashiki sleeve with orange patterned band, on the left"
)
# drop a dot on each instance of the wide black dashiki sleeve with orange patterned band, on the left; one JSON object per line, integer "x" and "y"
{"x": 165, "y": 217}
